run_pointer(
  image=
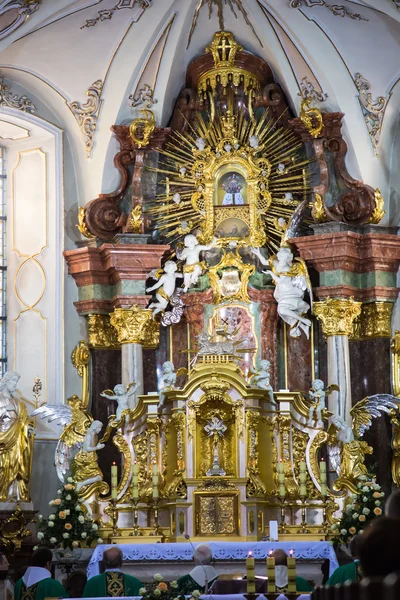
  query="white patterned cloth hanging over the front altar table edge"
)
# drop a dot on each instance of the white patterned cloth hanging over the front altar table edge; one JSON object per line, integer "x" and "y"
{"x": 220, "y": 550}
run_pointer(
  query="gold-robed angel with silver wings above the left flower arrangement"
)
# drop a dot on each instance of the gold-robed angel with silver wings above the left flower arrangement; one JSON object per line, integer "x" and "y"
{"x": 77, "y": 441}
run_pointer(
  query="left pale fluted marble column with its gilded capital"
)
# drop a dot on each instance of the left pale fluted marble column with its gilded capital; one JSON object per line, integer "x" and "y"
{"x": 136, "y": 329}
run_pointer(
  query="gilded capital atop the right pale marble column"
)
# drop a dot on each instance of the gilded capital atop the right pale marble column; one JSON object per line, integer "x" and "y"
{"x": 337, "y": 315}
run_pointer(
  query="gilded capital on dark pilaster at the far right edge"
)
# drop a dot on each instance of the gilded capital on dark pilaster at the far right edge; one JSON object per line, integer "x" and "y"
{"x": 374, "y": 321}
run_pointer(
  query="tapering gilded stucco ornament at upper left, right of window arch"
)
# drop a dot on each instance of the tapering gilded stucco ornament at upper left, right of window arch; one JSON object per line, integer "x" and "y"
{"x": 87, "y": 114}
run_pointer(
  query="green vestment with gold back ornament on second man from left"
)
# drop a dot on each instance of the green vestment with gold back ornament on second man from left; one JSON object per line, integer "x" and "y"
{"x": 112, "y": 583}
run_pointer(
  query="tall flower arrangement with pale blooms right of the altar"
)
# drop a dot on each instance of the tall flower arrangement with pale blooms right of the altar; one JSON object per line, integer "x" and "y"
{"x": 364, "y": 506}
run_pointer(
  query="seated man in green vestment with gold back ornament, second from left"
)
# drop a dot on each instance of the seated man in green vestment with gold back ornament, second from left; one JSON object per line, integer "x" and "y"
{"x": 112, "y": 582}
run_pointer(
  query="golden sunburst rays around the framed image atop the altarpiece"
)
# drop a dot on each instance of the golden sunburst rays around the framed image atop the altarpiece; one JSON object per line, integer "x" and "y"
{"x": 273, "y": 152}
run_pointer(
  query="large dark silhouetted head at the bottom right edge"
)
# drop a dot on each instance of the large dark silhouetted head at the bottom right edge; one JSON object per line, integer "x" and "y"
{"x": 379, "y": 549}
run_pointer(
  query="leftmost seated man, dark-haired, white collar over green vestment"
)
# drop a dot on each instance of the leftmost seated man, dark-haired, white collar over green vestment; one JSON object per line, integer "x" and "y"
{"x": 37, "y": 584}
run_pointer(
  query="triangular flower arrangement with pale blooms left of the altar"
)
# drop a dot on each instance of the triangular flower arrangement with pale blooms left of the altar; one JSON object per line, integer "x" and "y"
{"x": 68, "y": 526}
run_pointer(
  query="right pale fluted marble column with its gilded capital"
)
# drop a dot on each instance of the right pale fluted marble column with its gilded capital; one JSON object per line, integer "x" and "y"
{"x": 337, "y": 317}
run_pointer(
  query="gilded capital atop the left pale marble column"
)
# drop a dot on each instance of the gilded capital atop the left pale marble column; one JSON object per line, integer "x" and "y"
{"x": 136, "y": 325}
